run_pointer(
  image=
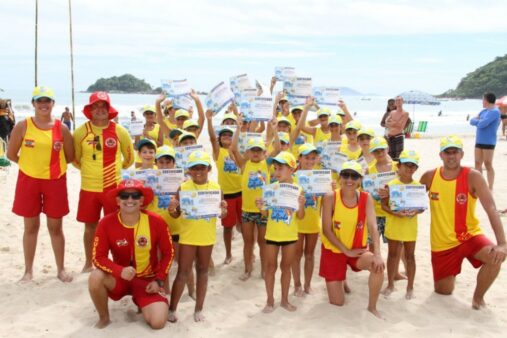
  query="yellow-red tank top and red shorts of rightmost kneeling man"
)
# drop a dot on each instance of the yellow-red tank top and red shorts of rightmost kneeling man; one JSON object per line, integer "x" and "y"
{"x": 455, "y": 231}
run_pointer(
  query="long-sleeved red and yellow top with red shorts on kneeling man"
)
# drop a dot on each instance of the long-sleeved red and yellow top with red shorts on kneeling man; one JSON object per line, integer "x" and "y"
{"x": 135, "y": 246}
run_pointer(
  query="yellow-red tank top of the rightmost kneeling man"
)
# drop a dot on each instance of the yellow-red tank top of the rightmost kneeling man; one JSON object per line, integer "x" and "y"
{"x": 453, "y": 218}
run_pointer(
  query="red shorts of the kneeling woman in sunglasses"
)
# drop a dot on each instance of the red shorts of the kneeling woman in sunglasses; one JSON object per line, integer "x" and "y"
{"x": 333, "y": 266}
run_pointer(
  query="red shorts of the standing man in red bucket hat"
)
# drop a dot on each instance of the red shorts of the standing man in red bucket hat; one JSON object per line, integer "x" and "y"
{"x": 90, "y": 205}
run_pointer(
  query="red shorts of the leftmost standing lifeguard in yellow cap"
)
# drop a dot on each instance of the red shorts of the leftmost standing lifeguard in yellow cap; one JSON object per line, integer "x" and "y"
{"x": 35, "y": 195}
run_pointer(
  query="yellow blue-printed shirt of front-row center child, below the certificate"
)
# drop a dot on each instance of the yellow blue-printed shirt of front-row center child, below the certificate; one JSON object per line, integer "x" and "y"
{"x": 282, "y": 224}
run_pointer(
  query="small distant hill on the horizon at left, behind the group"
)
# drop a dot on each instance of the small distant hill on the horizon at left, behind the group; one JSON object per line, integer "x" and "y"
{"x": 126, "y": 83}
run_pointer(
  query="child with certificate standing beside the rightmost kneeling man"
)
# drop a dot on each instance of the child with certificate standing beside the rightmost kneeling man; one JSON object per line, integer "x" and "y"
{"x": 401, "y": 226}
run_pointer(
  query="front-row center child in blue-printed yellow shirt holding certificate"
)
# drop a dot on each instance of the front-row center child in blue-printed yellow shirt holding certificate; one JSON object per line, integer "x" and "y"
{"x": 281, "y": 231}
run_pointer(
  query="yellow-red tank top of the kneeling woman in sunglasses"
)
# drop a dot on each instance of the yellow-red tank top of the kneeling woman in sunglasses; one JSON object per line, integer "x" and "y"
{"x": 345, "y": 224}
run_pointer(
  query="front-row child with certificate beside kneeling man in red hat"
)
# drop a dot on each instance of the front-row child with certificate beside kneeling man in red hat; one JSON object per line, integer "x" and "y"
{"x": 198, "y": 234}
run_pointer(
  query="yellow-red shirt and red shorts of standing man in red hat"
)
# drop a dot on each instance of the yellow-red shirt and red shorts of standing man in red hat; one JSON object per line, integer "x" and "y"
{"x": 101, "y": 153}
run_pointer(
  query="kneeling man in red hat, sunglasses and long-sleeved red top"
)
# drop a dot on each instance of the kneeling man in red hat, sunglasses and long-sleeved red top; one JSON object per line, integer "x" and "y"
{"x": 134, "y": 238}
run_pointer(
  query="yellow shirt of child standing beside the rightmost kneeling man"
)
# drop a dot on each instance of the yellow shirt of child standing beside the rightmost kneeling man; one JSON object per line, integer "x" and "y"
{"x": 403, "y": 229}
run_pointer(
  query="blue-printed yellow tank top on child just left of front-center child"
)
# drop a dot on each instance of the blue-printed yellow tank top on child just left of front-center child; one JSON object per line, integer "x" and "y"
{"x": 254, "y": 176}
